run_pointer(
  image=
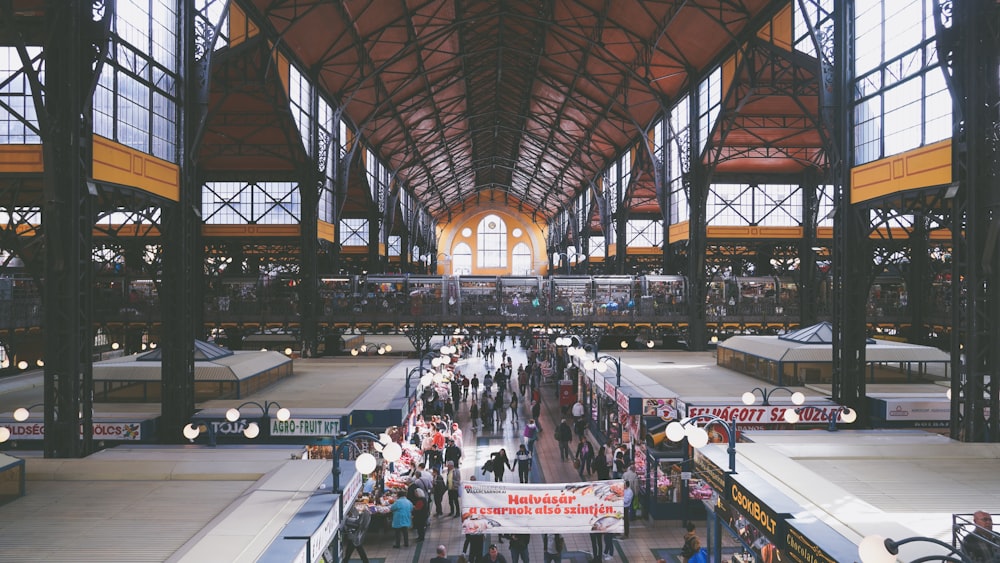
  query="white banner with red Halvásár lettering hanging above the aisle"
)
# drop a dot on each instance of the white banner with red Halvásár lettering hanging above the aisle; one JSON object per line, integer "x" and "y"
{"x": 542, "y": 508}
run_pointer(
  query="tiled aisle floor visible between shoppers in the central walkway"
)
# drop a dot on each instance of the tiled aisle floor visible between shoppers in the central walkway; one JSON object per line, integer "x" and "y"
{"x": 647, "y": 540}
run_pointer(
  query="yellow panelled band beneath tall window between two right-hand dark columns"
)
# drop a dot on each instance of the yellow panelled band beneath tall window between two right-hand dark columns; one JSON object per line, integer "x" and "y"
{"x": 919, "y": 168}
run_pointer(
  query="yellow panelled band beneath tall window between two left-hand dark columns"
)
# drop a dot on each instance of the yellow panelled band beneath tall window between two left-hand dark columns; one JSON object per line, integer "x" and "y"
{"x": 118, "y": 164}
